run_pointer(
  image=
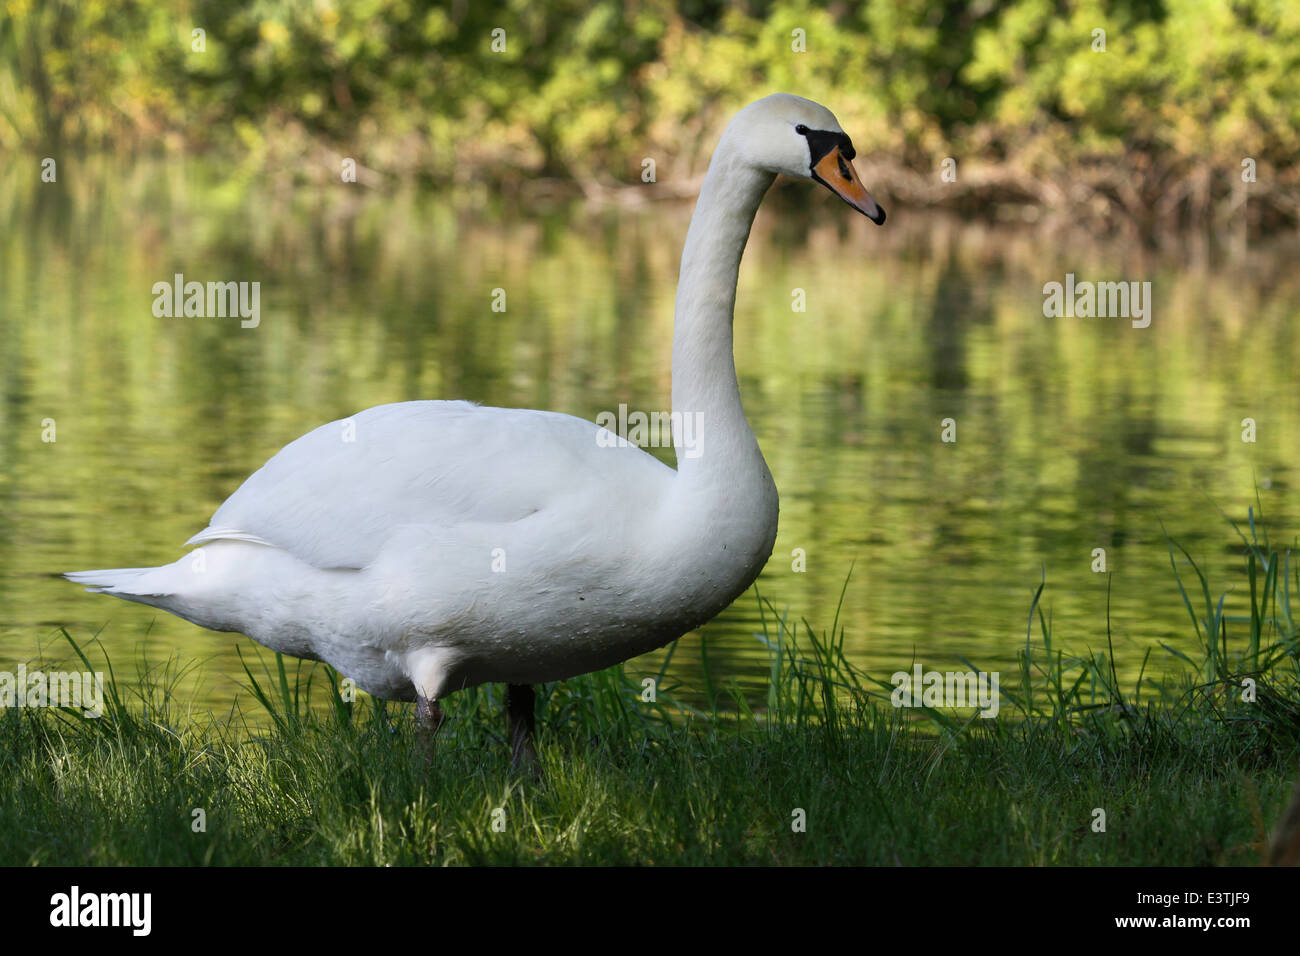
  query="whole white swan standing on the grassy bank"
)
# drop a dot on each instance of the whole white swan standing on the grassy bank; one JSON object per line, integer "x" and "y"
{"x": 427, "y": 547}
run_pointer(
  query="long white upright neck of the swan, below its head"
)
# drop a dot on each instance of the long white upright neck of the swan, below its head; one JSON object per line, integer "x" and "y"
{"x": 705, "y": 392}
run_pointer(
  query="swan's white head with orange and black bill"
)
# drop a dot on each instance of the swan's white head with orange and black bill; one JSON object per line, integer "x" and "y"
{"x": 790, "y": 135}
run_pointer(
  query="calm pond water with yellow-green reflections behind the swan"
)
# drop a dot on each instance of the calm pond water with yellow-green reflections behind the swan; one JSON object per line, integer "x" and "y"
{"x": 1072, "y": 434}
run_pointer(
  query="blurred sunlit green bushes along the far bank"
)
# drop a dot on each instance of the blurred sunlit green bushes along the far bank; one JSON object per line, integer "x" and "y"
{"x": 1155, "y": 126}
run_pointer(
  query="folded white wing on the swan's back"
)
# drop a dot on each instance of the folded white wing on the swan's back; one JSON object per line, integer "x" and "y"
{"x": 337, "y": 495}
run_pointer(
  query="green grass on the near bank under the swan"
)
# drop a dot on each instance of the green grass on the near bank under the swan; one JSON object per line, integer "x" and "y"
{"x": 1186, "y": 771}
